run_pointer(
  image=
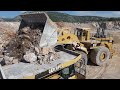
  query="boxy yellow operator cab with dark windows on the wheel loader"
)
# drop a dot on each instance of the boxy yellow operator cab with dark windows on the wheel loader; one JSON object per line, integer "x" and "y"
{"x": 83, "y": 34}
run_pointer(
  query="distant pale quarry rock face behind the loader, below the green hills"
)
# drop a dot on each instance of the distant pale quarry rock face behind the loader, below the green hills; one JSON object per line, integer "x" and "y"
{"x": 108, "y": 25}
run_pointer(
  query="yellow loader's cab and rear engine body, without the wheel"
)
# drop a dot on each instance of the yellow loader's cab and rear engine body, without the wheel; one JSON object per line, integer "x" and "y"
{"x": 90, "y": 42}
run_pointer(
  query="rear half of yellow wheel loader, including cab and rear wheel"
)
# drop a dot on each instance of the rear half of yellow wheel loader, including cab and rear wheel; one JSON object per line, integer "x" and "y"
{"x": 99, "y": 46}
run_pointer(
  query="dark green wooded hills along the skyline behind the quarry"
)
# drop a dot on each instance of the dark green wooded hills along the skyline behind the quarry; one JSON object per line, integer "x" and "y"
{"x": 62, "y": 17}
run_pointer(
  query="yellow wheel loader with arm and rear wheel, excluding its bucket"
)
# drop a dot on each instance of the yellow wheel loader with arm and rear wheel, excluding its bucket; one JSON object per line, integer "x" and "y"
{"x": 98, "y": 48}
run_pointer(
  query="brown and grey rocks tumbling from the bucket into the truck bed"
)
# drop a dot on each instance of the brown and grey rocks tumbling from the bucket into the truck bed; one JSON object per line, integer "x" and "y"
{"x": 25, "y": 47}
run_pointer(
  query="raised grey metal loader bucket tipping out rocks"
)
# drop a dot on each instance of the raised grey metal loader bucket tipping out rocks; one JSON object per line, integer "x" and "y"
{"x": 42, "y": 21}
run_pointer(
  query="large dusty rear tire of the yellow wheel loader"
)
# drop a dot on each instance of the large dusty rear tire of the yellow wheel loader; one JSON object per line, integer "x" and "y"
{"x": 96, "y": 53}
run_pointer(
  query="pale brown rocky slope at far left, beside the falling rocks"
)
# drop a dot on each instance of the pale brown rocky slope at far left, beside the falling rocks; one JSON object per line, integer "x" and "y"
{"x": 7, "y": 31}
